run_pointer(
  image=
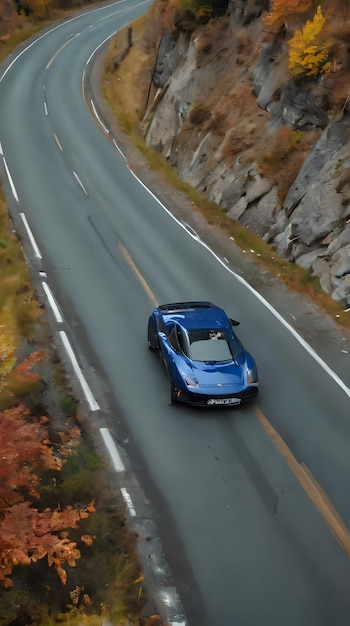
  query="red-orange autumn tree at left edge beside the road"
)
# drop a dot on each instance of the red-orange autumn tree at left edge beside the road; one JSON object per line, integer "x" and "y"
{"x": 28, "y": 534}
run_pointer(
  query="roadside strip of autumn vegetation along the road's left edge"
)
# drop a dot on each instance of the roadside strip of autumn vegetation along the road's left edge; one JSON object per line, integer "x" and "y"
{"x": 66, "y": 554}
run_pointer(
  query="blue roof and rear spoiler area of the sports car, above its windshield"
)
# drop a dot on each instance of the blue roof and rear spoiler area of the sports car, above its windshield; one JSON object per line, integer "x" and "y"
{"x": 195, "y": 314}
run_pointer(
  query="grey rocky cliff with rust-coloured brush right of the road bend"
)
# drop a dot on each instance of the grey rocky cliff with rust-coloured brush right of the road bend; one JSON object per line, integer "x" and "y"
{"x": 272, "y": 151}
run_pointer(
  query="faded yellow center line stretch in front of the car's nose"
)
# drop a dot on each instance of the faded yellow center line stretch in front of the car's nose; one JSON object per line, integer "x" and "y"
{"x": 310, "y": 485}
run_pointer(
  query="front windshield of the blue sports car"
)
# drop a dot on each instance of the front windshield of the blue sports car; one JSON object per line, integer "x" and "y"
{"x": 209, "y": 345}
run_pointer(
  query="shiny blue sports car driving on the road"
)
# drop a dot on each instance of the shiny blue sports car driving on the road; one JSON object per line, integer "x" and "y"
{"x": 203, "y": 357}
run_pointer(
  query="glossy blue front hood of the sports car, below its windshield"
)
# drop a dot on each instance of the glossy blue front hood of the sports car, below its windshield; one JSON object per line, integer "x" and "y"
{"x": 212, "y": 375}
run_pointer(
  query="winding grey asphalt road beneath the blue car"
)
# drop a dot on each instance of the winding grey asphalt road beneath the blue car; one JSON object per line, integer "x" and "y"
{"x": 252, "y": 504}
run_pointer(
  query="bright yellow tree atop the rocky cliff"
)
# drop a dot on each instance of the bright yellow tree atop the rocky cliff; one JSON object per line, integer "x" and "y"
{"x": 309, "y": 48}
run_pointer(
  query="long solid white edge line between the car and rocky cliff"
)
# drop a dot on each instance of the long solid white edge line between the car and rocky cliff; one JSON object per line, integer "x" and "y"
{"x": 267, "y": 305}
